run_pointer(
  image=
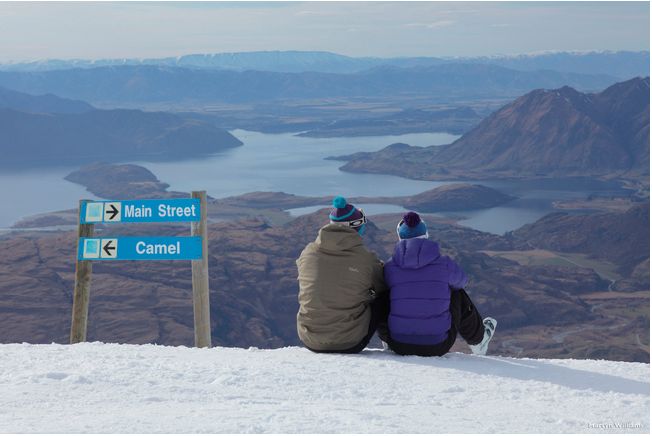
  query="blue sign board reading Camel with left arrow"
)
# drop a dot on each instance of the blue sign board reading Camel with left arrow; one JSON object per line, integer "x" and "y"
{"x": 140, "y": 248}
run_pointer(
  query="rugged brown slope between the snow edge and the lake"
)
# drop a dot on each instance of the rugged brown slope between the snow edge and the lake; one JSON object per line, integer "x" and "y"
{"x": 547, "y": 309}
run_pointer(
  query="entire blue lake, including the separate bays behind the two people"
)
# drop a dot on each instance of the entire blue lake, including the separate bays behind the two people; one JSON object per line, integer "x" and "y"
{"x": 296, "y": 165}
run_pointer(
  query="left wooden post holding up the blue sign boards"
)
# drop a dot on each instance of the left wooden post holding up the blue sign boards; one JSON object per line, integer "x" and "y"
{"x": 81, "y": 295}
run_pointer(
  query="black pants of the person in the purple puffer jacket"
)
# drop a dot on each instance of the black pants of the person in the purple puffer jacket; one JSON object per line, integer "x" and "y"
{"x": 466, "y": 320}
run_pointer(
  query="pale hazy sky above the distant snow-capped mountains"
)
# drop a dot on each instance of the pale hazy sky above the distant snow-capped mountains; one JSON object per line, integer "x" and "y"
{"x": 35, "y": 30}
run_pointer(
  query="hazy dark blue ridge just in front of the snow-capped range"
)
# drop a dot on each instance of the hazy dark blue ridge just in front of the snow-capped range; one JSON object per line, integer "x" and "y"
{"x": 120, "y": 85}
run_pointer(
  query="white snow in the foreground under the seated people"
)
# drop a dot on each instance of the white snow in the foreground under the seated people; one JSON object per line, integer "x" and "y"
{"x": 111, "y": 388}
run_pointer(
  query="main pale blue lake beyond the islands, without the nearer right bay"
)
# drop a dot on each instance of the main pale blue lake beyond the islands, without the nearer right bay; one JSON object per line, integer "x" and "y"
{"x": 267, "y": 162}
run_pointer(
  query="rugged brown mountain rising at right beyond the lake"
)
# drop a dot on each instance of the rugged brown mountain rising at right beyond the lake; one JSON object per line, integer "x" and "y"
{"x": 544, "y": 133}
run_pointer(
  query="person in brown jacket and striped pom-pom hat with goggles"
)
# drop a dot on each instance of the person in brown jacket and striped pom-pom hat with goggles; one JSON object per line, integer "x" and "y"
{"x": 342, "y": 291}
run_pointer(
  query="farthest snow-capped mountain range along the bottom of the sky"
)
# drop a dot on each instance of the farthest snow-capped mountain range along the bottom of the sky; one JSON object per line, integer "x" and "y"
{"x": 621, "y": 64}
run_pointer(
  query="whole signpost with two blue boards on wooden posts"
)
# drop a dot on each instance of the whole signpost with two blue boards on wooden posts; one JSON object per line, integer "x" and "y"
{"x": 193, "y": 248}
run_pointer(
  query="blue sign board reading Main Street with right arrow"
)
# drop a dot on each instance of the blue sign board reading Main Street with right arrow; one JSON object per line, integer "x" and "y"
{"x": 141, "y": 211}
